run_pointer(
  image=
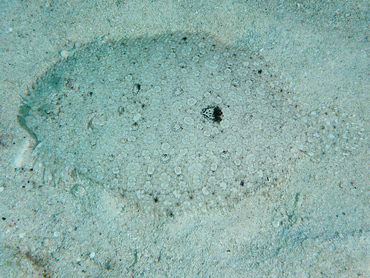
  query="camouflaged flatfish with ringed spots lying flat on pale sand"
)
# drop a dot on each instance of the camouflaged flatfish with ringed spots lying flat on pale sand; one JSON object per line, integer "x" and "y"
{"x": 177, "y": 123}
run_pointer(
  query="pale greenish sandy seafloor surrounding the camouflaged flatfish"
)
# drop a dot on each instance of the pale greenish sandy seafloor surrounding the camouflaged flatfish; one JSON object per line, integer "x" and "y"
{"x": 314, "y": 225}
